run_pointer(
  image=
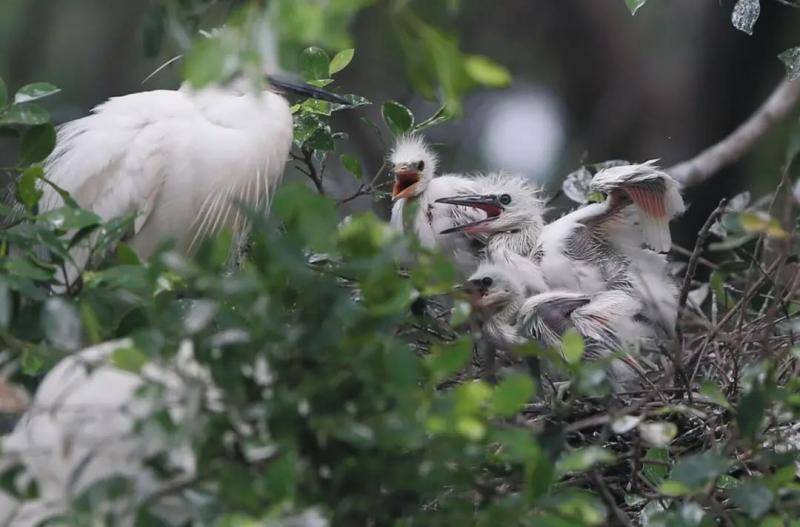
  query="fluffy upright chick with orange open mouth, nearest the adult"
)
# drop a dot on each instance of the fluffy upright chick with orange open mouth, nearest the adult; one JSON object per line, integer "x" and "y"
{"x": 415, "y": 192}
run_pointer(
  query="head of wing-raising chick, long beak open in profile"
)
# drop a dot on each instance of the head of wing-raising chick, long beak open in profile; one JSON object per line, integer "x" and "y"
{"x": 510, "y": 202}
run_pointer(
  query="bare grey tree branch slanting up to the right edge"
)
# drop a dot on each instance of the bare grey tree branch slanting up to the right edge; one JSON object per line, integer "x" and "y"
{"x": 710, "y": 161}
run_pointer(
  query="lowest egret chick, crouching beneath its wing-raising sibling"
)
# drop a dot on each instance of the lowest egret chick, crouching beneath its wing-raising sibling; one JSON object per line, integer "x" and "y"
{"x": 607, "y": 321}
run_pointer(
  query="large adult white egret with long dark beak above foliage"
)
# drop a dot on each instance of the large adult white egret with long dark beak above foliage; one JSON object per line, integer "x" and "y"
{"x": 181, "y": 160}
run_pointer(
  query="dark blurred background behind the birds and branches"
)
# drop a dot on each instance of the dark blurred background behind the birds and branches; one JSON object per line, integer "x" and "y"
{"x": 590, "y": 82}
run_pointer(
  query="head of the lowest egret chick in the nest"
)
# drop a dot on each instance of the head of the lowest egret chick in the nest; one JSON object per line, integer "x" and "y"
{"x": 493, "y": 287}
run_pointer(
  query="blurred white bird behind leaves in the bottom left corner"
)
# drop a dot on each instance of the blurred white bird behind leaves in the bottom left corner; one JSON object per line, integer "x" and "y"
{"x": 83, "y": 427}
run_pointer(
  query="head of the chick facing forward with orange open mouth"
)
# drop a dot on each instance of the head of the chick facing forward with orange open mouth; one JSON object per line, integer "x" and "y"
{"x": 413, "y": 164}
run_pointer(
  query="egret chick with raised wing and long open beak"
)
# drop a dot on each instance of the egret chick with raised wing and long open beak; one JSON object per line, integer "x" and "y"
{"x": 593, "y": 249}
